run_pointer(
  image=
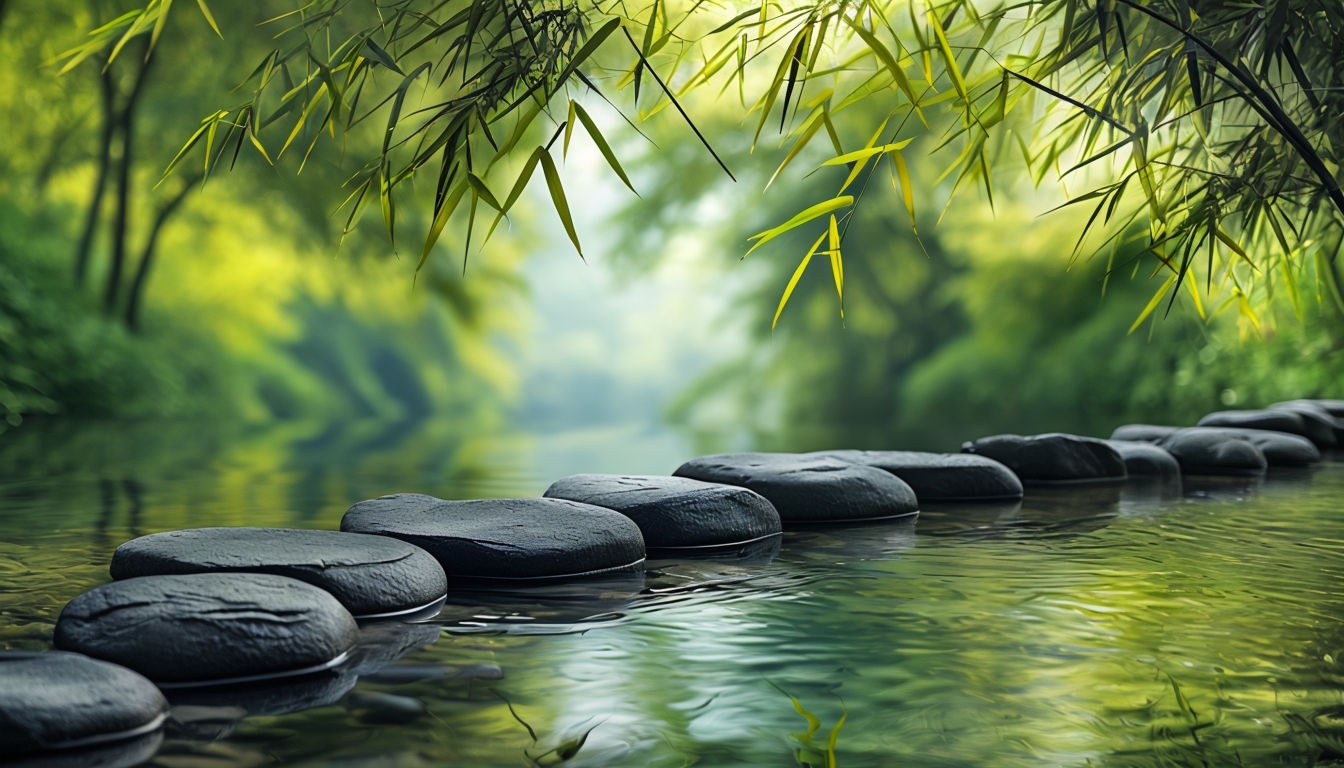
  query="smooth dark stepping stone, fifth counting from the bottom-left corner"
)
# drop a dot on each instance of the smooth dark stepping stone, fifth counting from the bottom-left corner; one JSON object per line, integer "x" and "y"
{"x": 678, "y": 516}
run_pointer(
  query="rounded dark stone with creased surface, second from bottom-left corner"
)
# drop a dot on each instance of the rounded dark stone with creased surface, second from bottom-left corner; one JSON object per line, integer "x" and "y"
{"x": 210, "y": 629}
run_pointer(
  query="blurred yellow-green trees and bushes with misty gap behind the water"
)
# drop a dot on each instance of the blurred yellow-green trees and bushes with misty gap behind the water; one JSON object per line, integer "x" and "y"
{"x": 255, "y": 307}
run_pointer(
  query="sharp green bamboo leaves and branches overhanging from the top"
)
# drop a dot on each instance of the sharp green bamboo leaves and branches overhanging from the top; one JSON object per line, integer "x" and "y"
{"x": 1212, "y": 124}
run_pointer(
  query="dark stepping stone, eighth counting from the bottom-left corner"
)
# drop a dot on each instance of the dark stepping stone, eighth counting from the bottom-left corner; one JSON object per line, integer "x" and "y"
{"x": 1053, "y": 458}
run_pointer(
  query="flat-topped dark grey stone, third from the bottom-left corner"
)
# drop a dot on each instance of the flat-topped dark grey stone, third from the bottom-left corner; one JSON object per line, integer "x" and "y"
{"x": 374, "y": 578}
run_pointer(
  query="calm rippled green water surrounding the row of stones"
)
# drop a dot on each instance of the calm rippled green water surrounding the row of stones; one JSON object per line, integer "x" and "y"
{"x": 1198, "y": 626}
